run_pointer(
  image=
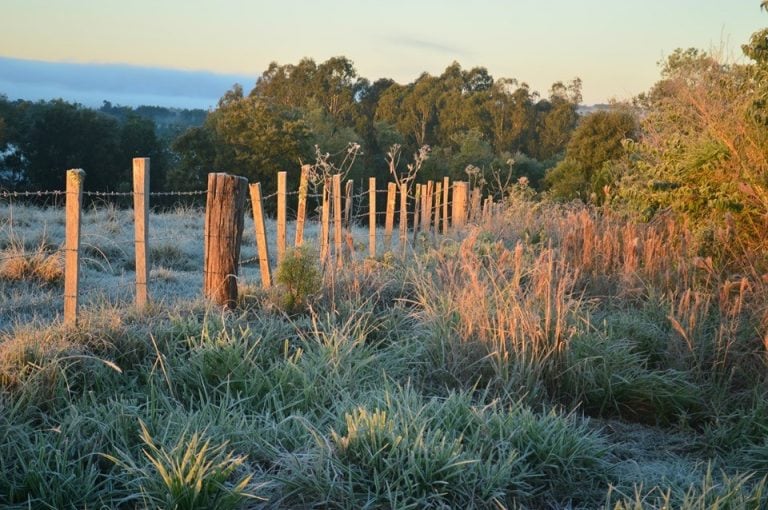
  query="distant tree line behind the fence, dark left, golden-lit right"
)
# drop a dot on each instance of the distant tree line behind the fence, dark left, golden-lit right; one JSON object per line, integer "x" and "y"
{"x": 294, "y": 112}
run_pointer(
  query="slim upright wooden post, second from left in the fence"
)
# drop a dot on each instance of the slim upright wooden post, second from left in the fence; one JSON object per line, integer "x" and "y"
{"x": 141, "y": 227}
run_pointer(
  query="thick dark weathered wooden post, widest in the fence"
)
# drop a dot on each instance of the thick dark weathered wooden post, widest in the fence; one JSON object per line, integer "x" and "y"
{"x": 223, "y": 234}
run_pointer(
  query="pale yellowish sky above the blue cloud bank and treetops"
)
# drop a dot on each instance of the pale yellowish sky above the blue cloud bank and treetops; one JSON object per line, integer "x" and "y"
{"x": 613, "y": 46}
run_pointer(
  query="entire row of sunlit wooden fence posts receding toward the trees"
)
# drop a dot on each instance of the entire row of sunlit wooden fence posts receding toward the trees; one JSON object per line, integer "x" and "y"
{"x": 224, "y": 224}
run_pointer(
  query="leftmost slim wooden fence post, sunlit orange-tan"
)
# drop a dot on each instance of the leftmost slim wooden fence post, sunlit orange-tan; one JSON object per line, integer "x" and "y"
{"x": 74, "y": 206}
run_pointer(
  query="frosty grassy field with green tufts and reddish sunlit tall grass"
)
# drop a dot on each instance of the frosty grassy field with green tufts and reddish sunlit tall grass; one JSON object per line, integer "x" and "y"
{"x": 551, "y": 357}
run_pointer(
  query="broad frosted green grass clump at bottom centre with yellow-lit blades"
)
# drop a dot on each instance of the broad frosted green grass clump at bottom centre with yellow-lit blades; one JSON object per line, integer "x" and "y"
{"x": 400, "y": 450}
